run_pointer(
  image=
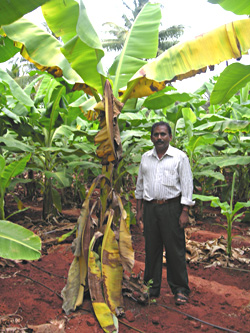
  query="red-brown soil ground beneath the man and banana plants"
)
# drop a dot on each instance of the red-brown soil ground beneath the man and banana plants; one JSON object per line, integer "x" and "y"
{"x": 30, "y": 291}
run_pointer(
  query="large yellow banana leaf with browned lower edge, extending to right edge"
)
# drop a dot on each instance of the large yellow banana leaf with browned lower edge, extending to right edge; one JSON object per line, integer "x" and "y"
{"x": 190, "y": 58}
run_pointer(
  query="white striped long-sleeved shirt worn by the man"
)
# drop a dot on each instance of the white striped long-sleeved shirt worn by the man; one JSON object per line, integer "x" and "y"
{"x": 165, "y": 178}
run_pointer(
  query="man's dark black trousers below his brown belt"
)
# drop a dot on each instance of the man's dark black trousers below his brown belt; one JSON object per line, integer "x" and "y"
{"x": 161, "y": 229}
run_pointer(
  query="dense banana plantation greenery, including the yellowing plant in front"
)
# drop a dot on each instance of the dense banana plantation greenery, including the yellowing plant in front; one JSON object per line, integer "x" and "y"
{"x": 74, "y": 135}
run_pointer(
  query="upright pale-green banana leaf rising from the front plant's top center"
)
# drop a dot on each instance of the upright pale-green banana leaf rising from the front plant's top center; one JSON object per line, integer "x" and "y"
{"x": 141, "y": 43}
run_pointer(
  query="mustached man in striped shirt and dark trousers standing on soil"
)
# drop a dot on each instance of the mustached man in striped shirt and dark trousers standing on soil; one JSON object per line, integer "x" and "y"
{"x": 164, "y": 192}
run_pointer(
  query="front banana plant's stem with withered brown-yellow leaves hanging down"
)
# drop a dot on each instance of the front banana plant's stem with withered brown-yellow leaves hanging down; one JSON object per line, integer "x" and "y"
{"x": 99, "y": 268}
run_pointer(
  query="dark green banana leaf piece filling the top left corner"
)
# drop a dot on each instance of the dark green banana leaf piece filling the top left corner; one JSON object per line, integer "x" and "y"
{"x": 12, "y": 10}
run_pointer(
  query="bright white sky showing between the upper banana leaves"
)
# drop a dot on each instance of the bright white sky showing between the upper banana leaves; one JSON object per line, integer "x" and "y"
{"x": 197, "y": 16}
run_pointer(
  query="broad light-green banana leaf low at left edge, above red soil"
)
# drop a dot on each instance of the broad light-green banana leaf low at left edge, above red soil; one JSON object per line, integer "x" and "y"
{"x": 18, "y": 243}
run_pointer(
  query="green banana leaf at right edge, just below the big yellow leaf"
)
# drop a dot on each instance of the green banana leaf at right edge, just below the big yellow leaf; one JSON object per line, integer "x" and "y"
{"x": 230, "y": 81}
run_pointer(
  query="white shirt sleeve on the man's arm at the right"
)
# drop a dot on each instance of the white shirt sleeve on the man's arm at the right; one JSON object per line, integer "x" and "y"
{"x": 186, "y": 181}
